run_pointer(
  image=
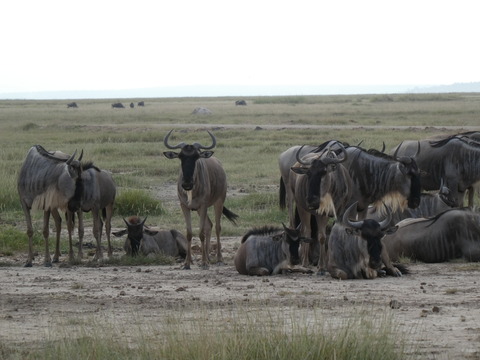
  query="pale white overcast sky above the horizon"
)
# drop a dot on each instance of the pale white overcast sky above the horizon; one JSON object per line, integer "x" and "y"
{"x": 52, "y": 45}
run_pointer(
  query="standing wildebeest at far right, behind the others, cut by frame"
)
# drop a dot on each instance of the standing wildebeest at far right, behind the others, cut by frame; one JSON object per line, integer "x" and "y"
{"x": 454, "y": 160}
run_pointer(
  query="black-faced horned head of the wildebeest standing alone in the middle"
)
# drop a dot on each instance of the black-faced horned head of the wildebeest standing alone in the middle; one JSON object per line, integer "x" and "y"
{"x": 188, "y": 155}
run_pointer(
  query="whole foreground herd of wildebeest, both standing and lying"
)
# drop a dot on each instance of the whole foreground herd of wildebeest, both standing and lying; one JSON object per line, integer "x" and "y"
{"x": 352, "y": 211}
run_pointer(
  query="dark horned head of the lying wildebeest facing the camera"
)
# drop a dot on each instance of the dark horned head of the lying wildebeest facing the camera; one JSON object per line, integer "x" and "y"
{"x": 370, "y": 231}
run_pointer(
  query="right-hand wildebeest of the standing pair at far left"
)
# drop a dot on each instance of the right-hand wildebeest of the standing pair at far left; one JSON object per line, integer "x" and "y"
{"x": 95, "y": 192}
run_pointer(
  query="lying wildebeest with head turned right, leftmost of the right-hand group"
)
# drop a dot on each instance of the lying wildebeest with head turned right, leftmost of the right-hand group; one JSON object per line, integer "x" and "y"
{"x": 268, "y": 251}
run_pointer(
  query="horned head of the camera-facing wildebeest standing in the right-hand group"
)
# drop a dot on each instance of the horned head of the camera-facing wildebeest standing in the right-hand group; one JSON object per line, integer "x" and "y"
{"x": 316, "y": 167}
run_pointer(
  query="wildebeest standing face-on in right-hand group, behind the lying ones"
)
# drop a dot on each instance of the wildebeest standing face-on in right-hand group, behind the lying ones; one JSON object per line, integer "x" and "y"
{"x": 322, "y": 188}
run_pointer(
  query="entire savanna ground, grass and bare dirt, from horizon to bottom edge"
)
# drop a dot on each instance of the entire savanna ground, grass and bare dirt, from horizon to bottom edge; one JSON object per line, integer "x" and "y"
{"x": 149, "y": 308}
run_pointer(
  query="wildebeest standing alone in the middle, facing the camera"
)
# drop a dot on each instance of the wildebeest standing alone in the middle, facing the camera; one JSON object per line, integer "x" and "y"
{"x": 202, "y": 183}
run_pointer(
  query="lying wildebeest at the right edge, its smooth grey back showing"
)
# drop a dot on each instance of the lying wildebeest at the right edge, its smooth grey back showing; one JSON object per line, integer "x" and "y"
{"x": 450, "y": 235}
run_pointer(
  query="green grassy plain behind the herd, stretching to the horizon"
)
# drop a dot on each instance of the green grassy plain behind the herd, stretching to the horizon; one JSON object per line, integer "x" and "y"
{"x": 129, "y": 142}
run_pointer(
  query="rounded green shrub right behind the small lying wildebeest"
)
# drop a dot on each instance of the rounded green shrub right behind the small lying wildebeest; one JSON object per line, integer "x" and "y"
{"x": 135, "y": 202}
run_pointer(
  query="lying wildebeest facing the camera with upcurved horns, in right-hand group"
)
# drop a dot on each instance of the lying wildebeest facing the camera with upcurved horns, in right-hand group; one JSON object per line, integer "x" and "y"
{"x": 355, "y": 248}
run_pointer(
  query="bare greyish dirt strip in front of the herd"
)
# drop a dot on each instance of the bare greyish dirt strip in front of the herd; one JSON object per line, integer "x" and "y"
{"x": 436, "y": 305}
